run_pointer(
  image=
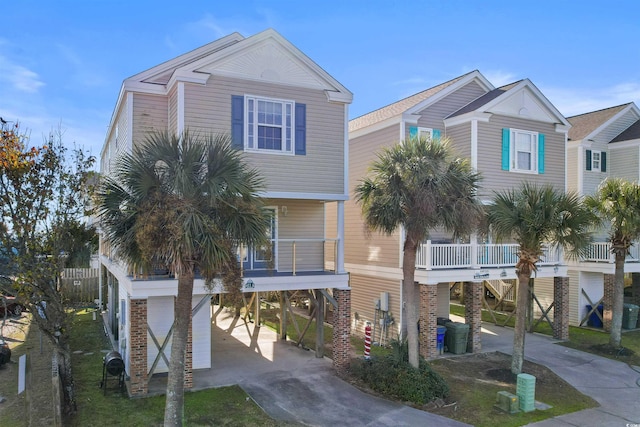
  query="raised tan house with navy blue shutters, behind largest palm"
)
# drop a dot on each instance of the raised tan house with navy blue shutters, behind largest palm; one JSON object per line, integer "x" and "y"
{"x": 290, "y": 118}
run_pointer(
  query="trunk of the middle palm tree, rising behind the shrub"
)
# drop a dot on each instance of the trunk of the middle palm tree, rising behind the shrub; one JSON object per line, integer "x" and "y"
{"x": 411, "y": 301}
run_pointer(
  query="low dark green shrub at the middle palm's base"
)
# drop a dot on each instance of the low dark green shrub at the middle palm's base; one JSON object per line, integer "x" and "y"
{"x": 393, "y": 376}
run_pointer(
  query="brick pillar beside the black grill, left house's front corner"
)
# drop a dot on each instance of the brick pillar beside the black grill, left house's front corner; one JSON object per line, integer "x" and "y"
{"x": 138, "y": 347}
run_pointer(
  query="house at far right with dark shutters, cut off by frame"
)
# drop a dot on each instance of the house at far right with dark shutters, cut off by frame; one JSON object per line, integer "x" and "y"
{"x": 603, "y": 143}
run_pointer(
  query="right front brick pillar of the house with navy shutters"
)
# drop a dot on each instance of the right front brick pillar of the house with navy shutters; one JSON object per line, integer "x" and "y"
{"x": 342, "y": 330}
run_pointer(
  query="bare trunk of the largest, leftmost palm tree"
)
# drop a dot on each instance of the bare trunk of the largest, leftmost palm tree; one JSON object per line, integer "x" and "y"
{"x": 174, "y": 406}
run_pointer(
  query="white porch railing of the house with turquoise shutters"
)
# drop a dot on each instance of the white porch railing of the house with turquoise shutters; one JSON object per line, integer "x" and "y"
{"x": 432, "y": 256}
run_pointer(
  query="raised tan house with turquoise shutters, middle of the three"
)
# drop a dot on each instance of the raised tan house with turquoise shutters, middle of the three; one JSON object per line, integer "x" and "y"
{"x": 510, "y": 134}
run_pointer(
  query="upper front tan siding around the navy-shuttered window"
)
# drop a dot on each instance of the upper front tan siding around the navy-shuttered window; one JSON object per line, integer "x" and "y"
{"x": 321, "y": 170}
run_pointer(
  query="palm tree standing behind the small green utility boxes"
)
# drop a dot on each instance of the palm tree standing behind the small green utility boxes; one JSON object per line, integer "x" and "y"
{"x": 534, "y": 216}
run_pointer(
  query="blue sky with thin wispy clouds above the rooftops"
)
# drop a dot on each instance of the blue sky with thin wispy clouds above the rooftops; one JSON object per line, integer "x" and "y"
{"x": 62, "y": 62}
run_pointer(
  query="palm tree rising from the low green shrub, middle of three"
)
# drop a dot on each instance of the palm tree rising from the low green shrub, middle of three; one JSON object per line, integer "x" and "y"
{"x": 418, "y": 184}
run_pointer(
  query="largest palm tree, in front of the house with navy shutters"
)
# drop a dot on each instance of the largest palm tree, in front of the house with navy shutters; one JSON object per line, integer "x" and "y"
{"x": 186, "y": 201}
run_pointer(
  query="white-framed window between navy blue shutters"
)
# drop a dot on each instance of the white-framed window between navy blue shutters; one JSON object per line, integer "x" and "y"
{"x": 269, "y": 125}
